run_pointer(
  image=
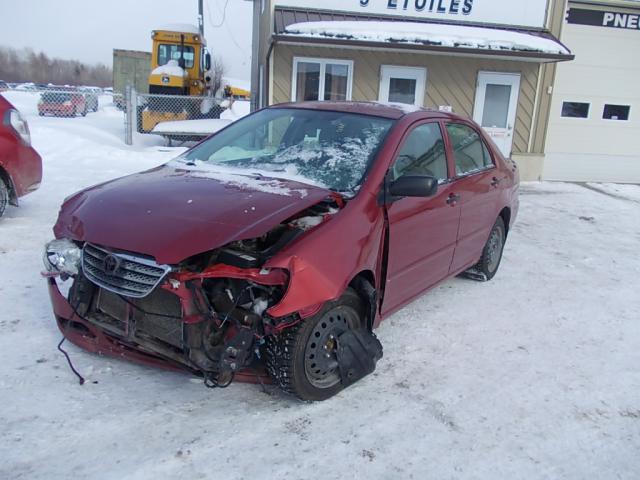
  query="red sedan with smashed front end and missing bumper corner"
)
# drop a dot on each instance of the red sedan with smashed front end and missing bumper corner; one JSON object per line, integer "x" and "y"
{"x": 279, "y": 244}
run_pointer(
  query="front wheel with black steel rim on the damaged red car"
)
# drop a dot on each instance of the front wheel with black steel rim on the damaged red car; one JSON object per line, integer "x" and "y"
{"x": 293, "y": 358}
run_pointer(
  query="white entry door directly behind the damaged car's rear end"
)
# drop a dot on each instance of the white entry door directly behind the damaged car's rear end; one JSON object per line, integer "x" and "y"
{"x": 496, "y": 105}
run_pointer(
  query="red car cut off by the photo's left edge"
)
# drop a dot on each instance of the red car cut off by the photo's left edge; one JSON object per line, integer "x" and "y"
{"x": 20, "y": 164}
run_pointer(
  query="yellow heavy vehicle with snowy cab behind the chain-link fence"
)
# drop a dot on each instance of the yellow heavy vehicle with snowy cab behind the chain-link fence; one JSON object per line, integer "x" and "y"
{"x": 179, "y": 68}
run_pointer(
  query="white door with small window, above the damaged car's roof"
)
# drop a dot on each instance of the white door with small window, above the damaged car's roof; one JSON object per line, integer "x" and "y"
{"x": 403, "y": 84}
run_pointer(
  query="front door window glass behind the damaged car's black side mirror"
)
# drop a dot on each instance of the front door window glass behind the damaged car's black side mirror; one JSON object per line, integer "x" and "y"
{"x": 423, "y": 153}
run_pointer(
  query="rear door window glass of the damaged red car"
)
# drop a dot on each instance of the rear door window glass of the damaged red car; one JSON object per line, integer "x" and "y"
{"x": 469, "y": 151}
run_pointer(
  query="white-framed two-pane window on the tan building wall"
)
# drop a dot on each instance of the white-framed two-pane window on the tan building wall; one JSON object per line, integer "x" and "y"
{"x": 321, "y": 79}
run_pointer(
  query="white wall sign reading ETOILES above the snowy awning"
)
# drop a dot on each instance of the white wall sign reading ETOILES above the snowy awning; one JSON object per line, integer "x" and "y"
{"x": 529, "y": 13}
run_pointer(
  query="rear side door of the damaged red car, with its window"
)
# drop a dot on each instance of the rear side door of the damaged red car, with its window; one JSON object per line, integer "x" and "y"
{"x": 476, "y": 186}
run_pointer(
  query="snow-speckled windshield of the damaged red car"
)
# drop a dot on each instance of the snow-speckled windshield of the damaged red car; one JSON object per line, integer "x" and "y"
{"x": 329, "y": 149}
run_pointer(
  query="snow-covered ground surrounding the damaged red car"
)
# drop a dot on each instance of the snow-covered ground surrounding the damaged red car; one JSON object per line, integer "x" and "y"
{"x": 534, "y": 375}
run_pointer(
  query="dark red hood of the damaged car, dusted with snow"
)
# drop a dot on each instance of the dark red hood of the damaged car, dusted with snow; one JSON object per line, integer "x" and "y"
{"x": 172, "y": 213}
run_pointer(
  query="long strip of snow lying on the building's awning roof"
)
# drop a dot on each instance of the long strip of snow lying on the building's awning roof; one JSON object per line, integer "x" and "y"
{"x": 456, "y": 36}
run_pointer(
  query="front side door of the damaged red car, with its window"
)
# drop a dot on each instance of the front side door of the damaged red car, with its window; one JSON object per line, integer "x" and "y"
{"x": 422, "y": 231}
